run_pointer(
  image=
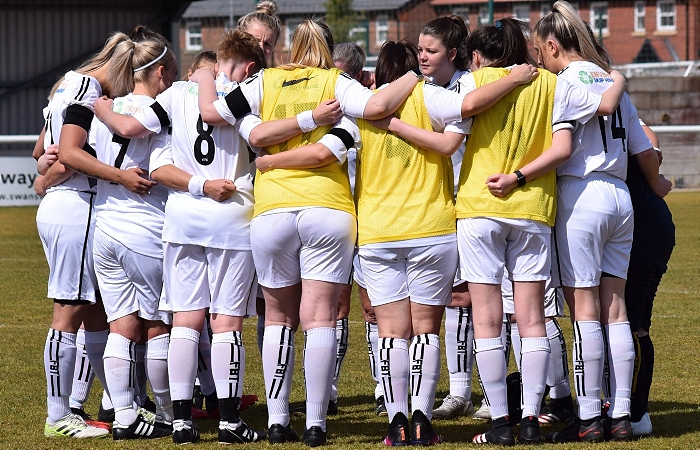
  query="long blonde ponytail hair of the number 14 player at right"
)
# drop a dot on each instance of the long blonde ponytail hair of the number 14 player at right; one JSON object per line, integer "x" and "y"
{"x": 566, "y": 26}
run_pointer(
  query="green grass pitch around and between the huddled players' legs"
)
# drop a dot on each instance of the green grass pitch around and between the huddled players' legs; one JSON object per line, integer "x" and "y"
{"x": 25, "y": 317}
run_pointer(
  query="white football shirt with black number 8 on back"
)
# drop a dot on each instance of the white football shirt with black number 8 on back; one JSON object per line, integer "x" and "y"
{"x": 209, "y": 152}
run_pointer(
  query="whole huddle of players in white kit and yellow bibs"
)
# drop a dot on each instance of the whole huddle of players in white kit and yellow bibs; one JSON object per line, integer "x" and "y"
{"x": 468, "y": 184}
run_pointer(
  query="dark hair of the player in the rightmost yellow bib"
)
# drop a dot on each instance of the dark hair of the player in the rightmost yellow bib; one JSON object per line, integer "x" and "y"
{"x": 503, "y": 44}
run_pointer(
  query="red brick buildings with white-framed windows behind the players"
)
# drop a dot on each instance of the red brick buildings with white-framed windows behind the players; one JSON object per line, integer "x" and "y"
{"x": 631, "y": 30}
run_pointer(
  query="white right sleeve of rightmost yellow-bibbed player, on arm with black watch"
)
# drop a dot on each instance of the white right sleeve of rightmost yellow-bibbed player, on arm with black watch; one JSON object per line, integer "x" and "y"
{"x": 573, "y": 104}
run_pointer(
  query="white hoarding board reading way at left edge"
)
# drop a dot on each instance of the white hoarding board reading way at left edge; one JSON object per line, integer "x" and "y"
{"x": 17, "y": 175}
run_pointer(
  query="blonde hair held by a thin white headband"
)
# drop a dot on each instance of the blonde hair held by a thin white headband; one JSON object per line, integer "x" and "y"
{"x": 133, "y": 62}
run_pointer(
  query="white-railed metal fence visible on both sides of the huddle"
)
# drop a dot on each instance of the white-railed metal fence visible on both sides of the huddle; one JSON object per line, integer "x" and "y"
{"x": 680, "y": 145}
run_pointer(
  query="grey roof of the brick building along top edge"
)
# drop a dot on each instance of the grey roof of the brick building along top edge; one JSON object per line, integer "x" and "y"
{"x": 225, "y": 8}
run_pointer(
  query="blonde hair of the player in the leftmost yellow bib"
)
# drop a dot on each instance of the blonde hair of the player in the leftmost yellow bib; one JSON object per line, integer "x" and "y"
{"x": 312, "y": 46}
